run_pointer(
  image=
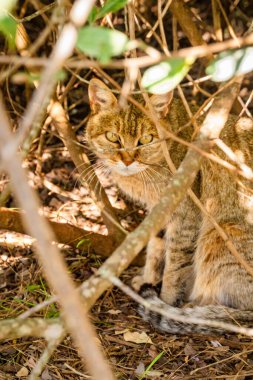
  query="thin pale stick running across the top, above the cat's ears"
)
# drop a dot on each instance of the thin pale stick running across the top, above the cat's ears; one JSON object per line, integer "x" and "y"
{"x": 194, "y": 52}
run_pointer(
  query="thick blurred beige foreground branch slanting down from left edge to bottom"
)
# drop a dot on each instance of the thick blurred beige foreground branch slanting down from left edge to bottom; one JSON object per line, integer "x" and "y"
{"x": 73, "y": 312}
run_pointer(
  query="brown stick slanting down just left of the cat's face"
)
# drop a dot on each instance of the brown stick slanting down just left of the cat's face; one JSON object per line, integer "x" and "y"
{"x": 81, "y": 162}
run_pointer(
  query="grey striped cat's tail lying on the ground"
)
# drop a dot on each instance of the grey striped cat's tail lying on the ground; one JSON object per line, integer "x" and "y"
{"x": 216, "y": 317}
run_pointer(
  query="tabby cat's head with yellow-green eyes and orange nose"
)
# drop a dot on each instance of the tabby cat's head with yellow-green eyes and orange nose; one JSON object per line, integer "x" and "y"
{"x": 124, "y": 138}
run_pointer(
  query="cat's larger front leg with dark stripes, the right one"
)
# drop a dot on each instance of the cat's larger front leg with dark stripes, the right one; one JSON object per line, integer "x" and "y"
{"x": 181, "y": 236}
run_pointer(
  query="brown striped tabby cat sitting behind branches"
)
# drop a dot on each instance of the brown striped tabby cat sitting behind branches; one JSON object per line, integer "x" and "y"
{"x": 192, "y": 261}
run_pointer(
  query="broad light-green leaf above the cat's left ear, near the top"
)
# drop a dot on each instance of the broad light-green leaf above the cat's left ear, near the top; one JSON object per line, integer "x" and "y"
{"x": 101, "y": 43}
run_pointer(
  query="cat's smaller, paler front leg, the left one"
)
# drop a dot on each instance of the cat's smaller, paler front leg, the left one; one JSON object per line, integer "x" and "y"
{"x": 153, "y": 269}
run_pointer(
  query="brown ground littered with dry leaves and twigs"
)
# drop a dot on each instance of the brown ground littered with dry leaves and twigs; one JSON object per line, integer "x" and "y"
{"x": 114, "y": 315}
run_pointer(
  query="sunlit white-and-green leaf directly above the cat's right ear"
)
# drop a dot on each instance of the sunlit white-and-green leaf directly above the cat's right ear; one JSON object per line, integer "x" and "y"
{"x": 165, "y": 76}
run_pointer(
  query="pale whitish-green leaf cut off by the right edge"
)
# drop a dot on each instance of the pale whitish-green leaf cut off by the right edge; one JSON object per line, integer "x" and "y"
{"x": 231, "y": 63}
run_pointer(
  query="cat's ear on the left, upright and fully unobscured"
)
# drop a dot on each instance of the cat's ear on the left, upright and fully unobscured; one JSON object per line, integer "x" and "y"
{"x": 100, "y": 96}
